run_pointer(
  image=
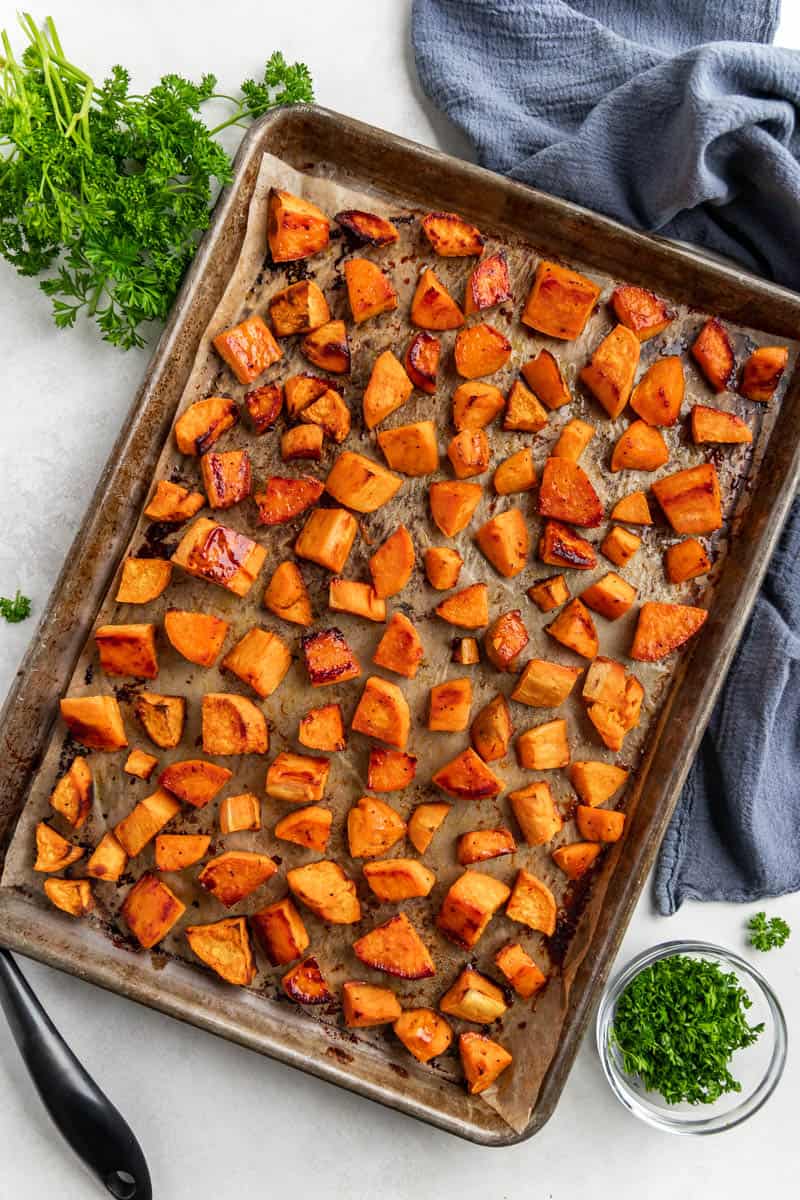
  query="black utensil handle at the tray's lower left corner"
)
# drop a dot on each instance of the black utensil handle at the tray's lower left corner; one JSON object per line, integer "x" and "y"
{"x": 88, "y": 1120}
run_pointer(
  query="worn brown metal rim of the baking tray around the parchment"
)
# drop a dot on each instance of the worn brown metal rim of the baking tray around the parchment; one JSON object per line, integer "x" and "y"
{"x": 31, "y": 709}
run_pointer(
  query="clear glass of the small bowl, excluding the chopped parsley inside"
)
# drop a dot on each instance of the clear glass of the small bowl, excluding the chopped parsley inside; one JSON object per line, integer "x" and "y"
{"x": 757, "y": 1067}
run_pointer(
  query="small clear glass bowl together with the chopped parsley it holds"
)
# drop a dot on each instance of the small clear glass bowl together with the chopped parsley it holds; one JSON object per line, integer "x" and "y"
{"x": 691, "y": 1037}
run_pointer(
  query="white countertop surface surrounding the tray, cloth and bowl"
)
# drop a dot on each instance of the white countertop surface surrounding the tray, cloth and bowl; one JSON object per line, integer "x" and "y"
{"x": 267, "y": 1130}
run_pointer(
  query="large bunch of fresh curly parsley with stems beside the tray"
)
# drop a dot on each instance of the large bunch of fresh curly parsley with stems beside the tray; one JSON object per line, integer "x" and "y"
{"x": 106, "y": 190}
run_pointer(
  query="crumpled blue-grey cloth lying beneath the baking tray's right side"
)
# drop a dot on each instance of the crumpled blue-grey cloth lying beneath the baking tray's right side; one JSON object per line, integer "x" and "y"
{"x": 677, "y": 117}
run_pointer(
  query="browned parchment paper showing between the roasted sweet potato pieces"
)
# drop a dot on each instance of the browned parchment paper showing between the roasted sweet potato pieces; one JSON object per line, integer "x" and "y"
{"x": 531, "y": 1031}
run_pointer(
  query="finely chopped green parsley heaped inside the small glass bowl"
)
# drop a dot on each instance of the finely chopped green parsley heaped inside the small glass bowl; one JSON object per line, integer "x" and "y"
{"x": 678, "y": 1025}
